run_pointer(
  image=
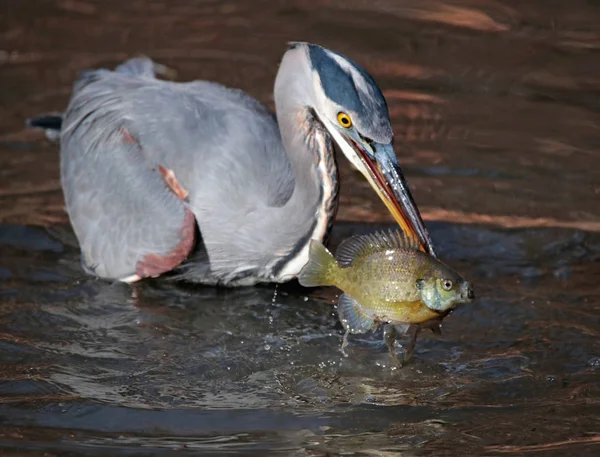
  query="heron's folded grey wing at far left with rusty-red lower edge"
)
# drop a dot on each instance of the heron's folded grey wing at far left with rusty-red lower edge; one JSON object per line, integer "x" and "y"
{"x": 129, "y": 221}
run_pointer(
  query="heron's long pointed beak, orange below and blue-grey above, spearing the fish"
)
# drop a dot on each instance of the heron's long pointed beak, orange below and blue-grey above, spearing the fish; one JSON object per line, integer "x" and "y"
{"x": 381, "y": 168}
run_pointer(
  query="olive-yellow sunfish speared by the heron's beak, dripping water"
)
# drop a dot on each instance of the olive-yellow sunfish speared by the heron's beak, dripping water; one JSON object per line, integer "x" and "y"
{"x": 386, "y": 280}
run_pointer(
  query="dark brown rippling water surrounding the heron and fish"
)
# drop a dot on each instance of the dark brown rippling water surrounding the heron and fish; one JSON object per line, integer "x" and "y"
{"x": 496, "y": 112}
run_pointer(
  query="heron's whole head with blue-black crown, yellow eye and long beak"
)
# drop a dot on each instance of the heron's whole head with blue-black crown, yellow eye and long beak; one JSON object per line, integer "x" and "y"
{"x": 350, "y": 105}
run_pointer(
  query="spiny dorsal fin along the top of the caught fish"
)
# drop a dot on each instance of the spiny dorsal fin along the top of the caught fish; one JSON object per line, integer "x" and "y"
{"x": 362, "y": 245}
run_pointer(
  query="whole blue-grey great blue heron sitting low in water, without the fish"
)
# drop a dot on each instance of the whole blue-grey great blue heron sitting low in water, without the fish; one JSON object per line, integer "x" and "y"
{"x": 202, "y": 180}
